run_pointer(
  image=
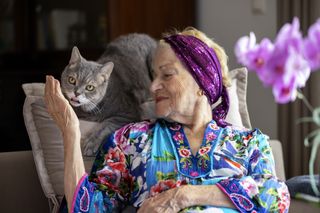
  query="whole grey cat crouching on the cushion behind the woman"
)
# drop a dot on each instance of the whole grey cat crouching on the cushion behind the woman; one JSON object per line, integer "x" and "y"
{"x": 112, "y": 89}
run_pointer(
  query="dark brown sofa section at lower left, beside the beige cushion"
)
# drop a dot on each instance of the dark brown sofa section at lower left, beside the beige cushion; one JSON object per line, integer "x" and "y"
{"x": 19, "y": 184}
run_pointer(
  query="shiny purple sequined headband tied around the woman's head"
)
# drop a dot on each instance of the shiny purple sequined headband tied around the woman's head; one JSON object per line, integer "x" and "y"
{"x": 203, "y": 64}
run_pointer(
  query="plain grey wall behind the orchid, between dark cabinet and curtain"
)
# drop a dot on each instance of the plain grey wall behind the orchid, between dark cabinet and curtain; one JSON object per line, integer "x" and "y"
{"x": 226, "y": 21}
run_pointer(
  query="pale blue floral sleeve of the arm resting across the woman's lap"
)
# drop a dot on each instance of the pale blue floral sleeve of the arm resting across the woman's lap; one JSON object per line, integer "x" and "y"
{"x": 260, "y": 190}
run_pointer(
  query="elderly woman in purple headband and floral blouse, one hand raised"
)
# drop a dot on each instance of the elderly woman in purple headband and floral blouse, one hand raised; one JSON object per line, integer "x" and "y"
{"x": 189, "y": 159}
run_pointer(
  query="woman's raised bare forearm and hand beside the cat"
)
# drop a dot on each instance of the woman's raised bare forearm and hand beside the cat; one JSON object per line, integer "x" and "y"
{"x": 66, "y": 119}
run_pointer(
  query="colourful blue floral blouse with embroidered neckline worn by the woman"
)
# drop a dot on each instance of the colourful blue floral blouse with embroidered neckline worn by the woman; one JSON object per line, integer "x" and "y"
{"x": 143, "y": 159}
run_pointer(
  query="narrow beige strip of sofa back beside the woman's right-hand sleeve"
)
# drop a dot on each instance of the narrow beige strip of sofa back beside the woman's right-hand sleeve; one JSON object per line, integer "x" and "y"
{"x": 278, "y": 158}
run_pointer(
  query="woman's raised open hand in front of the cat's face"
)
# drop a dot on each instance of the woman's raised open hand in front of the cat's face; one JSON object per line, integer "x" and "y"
{"x": 59, "y": 107}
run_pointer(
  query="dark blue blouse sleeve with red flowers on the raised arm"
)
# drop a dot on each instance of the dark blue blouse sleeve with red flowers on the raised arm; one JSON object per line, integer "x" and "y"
{"x": 110, "y": 185}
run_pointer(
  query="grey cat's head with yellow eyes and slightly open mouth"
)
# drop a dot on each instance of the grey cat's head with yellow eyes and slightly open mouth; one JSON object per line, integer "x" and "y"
{"x": 84, "y": 83}
